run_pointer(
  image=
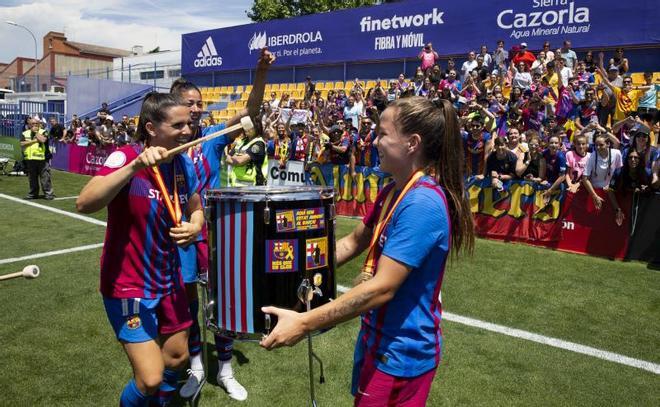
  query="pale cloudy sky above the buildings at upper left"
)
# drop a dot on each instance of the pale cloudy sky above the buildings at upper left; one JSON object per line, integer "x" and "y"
{"x": 112, "y": 23}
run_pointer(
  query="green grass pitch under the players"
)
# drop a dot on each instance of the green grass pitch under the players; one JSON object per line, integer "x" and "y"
{"x": 58, "y": 349}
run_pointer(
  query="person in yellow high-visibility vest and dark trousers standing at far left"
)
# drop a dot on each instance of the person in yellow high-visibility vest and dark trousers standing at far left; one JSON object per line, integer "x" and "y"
{"x": 33, "y": 142}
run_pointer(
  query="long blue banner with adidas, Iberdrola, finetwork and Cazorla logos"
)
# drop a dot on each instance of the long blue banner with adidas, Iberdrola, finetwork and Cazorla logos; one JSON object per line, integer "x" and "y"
{"x": 400, "y": 30}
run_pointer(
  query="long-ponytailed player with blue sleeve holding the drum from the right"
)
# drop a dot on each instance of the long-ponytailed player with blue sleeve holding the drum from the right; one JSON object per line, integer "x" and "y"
{"x": 398, "y": 295}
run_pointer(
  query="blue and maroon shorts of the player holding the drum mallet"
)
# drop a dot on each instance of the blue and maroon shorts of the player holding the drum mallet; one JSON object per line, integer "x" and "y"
{"x": 140, "y": 319}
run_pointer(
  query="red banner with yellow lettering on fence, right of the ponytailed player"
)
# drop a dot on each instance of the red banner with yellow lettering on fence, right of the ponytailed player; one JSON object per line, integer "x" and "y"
{"x": 568, "y": 222}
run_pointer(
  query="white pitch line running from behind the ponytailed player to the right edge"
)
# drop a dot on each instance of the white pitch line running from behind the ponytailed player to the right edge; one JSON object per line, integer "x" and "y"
{"x": 546, "y": 340}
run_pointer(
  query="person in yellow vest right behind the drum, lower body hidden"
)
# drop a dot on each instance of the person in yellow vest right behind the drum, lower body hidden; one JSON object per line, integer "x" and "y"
{"x": 248, "y": 163}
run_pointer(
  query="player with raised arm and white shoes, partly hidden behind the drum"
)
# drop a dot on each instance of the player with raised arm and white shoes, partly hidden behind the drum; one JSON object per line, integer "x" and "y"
{"x": 208, "y": 159}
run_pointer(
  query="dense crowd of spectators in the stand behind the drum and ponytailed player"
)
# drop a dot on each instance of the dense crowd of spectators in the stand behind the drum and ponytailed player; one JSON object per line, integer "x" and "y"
{"x": 547, "y": 117}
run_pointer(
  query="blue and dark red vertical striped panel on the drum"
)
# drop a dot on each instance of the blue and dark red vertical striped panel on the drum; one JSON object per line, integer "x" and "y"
{"x": 235, "y": 249}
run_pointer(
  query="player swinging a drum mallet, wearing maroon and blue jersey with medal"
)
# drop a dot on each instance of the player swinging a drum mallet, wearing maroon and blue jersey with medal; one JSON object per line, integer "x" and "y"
{"x": 153, "y": 208}
